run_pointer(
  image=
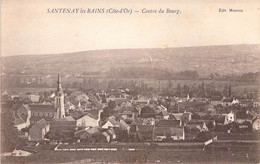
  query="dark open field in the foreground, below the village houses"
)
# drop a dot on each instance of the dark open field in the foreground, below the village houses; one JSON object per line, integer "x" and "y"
{"x": 216, "y": 153}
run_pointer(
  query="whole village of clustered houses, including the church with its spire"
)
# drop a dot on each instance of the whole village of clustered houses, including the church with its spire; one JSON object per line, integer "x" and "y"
{"x": 116, "y": 116}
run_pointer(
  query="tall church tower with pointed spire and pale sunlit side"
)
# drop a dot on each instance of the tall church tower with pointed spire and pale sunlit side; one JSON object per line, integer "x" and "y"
{"x": 59, "y": 100}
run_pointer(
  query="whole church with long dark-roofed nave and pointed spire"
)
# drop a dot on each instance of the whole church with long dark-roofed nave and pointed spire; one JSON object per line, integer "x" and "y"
{"x": 49, "y": 112}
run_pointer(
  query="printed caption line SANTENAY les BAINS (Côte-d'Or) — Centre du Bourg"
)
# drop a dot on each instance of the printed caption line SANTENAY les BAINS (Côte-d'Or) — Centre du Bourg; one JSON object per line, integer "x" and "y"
{"x": 111, "y": 11}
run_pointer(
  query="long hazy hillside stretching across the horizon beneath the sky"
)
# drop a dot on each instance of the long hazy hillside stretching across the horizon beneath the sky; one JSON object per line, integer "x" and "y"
{"x": 207, "y": 59}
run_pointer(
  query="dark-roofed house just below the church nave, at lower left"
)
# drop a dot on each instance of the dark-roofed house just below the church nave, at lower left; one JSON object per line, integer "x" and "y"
{"x": 38, "y": 130}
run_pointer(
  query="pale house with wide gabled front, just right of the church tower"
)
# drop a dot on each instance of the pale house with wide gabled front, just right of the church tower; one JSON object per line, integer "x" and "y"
{"x": 87, "y": 120}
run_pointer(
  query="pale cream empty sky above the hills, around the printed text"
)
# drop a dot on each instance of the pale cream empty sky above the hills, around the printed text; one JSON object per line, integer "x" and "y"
{"x": 27, "y": 28}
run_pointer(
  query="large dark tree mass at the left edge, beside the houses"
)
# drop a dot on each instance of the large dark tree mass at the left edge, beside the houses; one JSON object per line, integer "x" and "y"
{"x": 9, "y": 134}
